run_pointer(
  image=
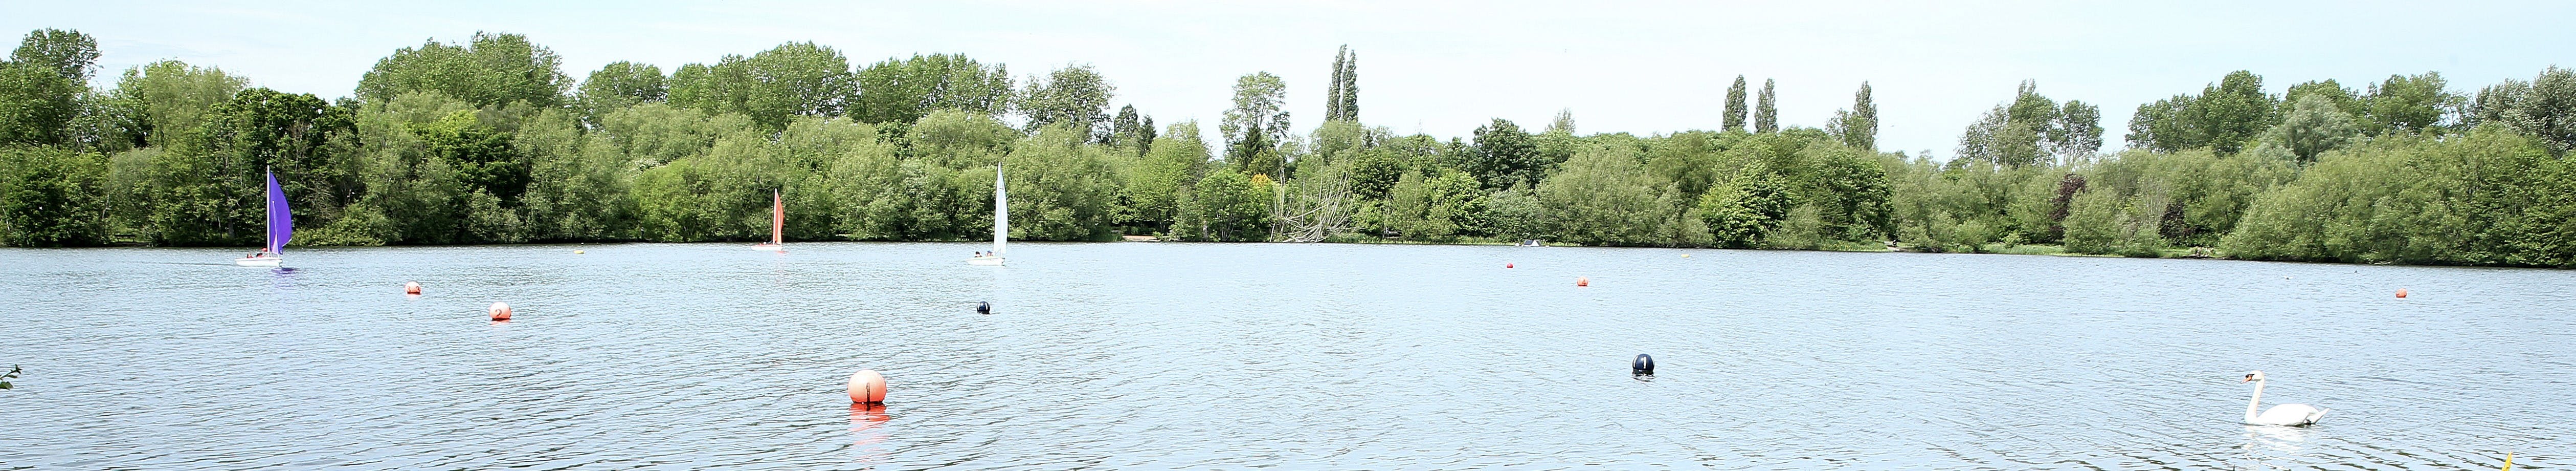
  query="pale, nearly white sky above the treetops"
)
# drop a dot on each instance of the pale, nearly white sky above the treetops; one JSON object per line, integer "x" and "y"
{"x": 1434, "y": 68}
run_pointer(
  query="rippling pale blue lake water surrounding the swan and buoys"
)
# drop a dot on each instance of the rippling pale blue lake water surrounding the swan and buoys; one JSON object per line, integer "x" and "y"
{"x": 1269, "y": 356}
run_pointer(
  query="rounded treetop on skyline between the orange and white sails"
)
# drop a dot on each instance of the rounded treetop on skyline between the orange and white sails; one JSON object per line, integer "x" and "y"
{"x": 903, "y": 91}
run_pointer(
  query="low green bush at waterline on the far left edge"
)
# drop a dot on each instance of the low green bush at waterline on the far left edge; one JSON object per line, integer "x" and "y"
{"x": 53, "y": 197}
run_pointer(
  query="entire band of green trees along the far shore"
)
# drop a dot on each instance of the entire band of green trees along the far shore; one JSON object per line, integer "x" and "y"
{"x": 491, "y": 143}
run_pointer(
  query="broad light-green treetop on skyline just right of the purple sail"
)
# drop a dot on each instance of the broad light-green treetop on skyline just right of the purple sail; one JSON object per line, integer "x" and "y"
{"x": 491, "y": 71}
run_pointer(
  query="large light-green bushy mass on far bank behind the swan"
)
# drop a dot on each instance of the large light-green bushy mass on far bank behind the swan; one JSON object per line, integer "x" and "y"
{"x": 2490, "y": 199}
